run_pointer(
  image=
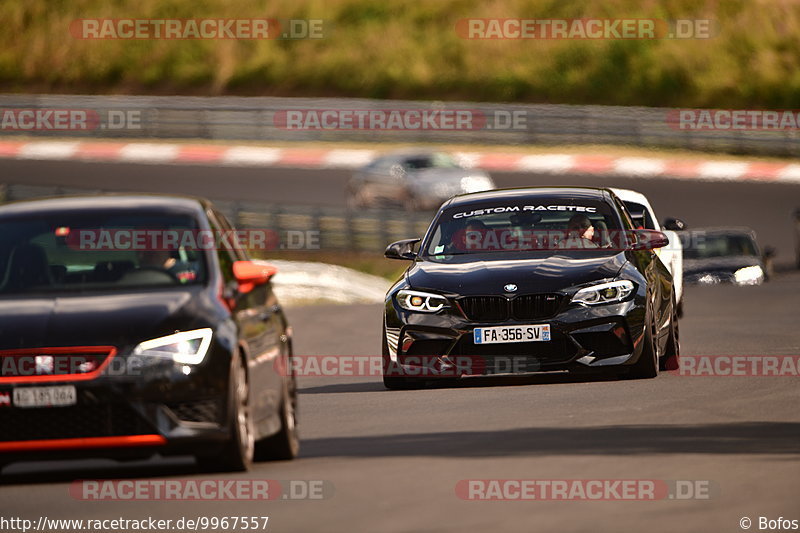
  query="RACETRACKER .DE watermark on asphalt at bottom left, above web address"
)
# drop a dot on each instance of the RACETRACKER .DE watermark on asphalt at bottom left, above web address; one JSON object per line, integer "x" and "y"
{"x": 201, "y": 489}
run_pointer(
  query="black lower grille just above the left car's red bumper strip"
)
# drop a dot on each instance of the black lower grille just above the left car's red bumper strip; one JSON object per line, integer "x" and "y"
{"x": 89, "y": 418}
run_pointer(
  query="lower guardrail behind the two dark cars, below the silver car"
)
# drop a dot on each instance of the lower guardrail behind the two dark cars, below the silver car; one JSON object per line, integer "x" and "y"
{"x": 299, "y": 227}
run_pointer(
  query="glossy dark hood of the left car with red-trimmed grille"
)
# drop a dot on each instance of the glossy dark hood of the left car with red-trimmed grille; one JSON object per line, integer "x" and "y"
{"x": 120, "y": 320}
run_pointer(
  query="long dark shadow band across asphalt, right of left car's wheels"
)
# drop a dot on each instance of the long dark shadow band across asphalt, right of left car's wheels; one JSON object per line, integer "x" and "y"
{"x": 743, "y": 438}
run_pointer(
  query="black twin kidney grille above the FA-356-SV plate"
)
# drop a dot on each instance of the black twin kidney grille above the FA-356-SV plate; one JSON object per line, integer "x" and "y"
{"x": 497, "y": 308}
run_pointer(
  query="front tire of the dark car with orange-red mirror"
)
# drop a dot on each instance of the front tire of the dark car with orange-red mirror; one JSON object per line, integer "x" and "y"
{"x": 237, "y": 454}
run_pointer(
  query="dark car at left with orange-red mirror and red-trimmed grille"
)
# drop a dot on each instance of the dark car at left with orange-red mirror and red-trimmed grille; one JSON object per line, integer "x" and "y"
{"x": 140, "y": 342}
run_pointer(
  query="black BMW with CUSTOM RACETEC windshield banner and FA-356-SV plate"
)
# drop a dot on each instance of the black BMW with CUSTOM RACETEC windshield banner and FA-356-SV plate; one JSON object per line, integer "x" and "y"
{"x": 528, "y": 280}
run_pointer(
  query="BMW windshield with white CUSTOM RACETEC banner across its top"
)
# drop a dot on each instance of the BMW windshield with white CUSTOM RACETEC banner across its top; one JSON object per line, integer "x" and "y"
{"x": 539, "y": 225}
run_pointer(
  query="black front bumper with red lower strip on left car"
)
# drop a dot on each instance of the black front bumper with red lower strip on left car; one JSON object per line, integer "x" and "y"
{"x": 130, "y": 411}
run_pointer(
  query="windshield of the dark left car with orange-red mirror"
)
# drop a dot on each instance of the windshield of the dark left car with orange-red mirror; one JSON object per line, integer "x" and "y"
{"x": 97, "y": 251}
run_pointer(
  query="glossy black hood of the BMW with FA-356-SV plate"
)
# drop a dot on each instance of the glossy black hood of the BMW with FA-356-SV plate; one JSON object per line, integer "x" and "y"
{"x": 477, "y": 275}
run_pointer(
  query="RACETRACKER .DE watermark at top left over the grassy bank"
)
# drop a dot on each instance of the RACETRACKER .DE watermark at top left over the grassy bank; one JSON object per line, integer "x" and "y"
{"x": 200, "y": 28}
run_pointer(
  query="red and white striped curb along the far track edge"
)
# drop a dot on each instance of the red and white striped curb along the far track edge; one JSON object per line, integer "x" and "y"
{"x": 252, "y": 156}
